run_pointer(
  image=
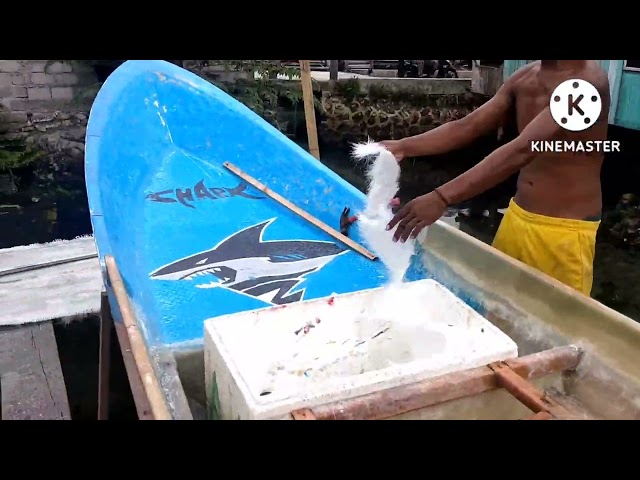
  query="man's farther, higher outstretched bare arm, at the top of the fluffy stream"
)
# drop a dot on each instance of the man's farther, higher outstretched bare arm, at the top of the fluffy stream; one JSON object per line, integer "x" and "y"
{"x": 459, "y": 133}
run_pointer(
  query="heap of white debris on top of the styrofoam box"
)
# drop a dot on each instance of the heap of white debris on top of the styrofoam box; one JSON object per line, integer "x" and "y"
{"x": 349, "y": 338}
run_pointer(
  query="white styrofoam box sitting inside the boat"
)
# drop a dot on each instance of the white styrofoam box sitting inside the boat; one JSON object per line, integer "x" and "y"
{"x": 265, "y": 363}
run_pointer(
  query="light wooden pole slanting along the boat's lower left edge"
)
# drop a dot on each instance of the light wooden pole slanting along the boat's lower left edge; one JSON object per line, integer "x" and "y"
{"x": 141, "y": 356}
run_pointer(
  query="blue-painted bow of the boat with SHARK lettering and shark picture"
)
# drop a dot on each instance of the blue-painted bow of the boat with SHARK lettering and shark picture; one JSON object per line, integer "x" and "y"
{"x": 192, "y": 239}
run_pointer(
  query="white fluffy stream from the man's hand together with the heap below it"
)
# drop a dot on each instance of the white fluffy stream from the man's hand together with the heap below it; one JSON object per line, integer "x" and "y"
{"x": 354, "y": 338}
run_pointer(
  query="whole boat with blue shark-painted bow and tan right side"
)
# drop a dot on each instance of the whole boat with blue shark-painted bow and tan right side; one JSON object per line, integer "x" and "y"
{"x": 194, "y": 240}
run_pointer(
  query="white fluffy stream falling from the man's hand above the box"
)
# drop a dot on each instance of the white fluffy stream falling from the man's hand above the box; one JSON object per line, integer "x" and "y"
{"x": 383, "y": 174}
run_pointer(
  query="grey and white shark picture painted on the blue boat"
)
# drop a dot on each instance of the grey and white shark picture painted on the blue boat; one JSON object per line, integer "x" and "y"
{"x": 245, "y": 263}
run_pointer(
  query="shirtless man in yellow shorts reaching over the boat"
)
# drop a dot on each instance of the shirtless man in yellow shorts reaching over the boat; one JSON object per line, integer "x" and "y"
{"x": 552, "y": 221}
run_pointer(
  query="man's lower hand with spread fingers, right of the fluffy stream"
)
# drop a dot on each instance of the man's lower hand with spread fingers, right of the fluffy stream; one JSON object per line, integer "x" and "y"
{"x": 417, "y": 214}
